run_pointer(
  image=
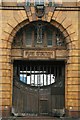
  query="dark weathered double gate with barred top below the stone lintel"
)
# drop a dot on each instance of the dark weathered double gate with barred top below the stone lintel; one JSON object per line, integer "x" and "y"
{"x": 38, "y": 88}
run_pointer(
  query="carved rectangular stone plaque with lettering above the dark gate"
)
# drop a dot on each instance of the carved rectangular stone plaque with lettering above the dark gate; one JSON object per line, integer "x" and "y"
{"x": 38, "y": 54}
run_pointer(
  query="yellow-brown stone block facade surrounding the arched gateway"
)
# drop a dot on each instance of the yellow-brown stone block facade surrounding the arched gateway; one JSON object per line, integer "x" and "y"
{"x": 66, "y": 18}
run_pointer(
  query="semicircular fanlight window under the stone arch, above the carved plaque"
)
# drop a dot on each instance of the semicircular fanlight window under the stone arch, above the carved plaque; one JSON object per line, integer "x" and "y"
{"x": 39, "y": 34}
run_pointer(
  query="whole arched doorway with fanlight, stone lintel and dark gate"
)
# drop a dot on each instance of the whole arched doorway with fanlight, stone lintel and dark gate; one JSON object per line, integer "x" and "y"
{"x": 39, "y": 53}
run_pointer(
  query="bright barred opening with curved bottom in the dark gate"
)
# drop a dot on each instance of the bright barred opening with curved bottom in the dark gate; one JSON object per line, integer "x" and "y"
{"x": 37, "y": 78}
